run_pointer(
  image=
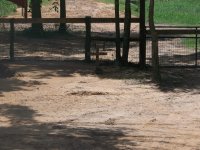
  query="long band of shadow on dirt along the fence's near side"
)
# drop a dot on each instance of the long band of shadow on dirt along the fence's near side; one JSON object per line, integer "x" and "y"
{"x": 179, "y": 79}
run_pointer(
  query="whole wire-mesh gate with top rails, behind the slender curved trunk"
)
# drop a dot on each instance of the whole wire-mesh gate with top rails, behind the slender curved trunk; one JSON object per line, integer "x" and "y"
{"x": 178, "y": 45}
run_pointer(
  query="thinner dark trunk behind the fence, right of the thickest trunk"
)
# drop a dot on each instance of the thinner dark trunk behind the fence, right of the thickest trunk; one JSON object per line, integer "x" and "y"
{"x": 62, "y": 27}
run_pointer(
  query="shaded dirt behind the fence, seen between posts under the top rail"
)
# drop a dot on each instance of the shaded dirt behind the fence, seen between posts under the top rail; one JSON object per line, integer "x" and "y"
{"x": 55, "y": 46}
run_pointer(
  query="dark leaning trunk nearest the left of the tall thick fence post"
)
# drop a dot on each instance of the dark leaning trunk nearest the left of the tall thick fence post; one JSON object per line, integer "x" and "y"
{"x": 127, "y": 26}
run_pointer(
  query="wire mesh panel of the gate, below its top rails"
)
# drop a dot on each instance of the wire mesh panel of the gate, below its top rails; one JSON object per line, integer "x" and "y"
{"x": 182, "y": 50}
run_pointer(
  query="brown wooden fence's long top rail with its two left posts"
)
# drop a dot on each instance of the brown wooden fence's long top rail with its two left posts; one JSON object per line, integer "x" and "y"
{"x": 87, "y": 21}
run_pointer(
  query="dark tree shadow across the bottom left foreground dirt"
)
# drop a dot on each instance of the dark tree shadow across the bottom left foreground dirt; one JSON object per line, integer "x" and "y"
{"x": 24, "y": 132}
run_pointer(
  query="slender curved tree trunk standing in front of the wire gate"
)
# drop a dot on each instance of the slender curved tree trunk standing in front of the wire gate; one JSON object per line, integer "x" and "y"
{"x": 154, "y": 36}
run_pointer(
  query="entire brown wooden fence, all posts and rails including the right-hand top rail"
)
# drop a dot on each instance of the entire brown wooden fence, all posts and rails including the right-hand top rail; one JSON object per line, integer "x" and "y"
{"x": 141, "y": 38}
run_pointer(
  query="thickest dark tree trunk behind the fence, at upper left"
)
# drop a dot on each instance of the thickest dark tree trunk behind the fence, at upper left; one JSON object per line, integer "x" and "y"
{"x": 36, "y": 13}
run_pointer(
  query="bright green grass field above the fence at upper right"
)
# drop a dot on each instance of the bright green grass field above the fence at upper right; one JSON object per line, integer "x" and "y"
{"x": 176, "y": 12}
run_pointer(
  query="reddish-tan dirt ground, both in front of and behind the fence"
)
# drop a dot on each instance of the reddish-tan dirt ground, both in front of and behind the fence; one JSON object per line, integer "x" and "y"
{"x": 64, "y": 105}
